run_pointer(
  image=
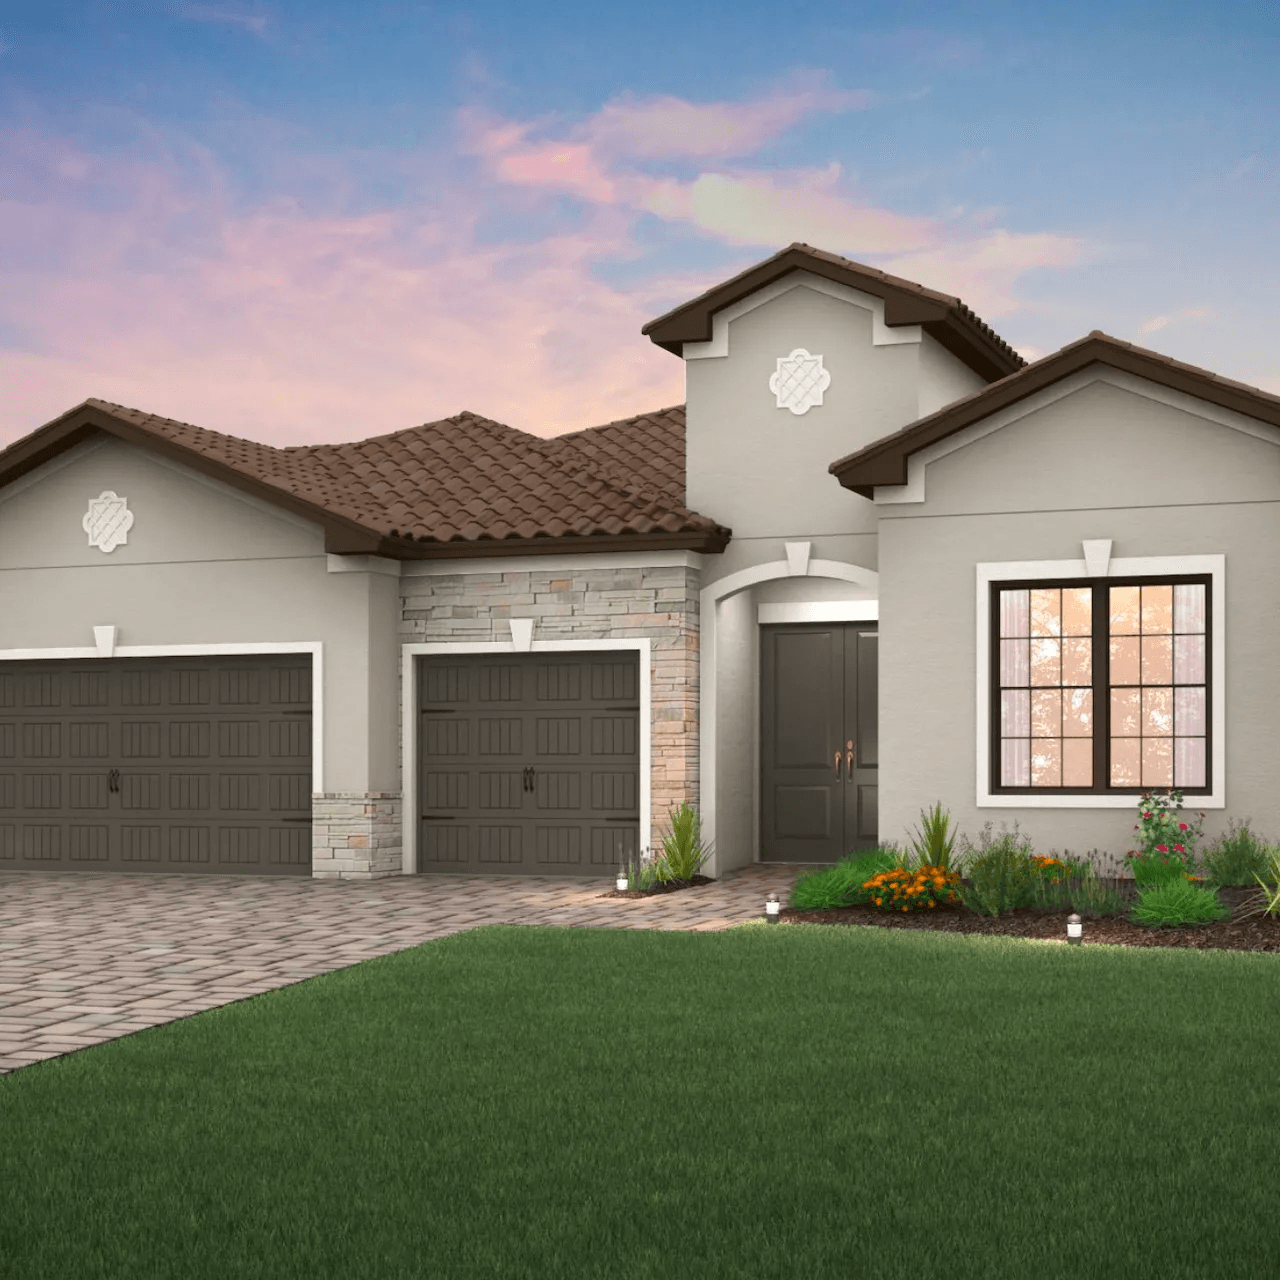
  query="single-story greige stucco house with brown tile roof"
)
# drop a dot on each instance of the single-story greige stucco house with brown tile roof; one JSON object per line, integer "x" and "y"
{"x": 465, "y": 648}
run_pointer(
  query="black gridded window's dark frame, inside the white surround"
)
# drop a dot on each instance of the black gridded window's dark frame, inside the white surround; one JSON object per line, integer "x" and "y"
{"x": 1101, "y": 687}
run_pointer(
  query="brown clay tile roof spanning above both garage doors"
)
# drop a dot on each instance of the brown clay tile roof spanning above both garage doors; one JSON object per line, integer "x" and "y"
{"x": 461, "y": 481}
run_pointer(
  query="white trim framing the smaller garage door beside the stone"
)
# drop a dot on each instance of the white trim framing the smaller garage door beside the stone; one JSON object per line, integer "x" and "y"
{"x": 409, "y": 720}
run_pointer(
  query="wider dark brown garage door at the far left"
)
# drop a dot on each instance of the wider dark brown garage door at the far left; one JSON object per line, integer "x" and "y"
{"x": 157, "y": 765}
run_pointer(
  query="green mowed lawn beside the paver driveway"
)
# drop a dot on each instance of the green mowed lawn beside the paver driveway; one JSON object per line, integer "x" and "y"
{"x": 785, "y": 1101}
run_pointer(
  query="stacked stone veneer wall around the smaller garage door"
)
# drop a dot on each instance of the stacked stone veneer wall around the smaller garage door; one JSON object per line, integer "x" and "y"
{"x": 588, "y": 605}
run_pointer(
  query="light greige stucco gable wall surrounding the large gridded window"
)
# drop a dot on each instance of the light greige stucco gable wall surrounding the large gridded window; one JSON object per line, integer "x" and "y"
{"x": 1104, "y": 463}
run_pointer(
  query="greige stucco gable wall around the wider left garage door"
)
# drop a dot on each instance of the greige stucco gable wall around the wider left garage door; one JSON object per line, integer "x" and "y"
{"x": 203, "y": 565}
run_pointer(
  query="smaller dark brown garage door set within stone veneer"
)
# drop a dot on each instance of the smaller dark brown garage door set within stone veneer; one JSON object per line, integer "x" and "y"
{"x": 529, "y": 765}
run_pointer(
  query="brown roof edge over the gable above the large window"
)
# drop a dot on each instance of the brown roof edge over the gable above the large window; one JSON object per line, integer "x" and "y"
{"x": 885, "y": 461}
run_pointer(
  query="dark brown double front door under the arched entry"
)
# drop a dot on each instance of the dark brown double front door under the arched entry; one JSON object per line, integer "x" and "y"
{"x": 820, "y": 746}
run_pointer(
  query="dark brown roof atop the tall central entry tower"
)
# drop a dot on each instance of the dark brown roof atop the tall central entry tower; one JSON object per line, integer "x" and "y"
{"x": 945, "y": 318}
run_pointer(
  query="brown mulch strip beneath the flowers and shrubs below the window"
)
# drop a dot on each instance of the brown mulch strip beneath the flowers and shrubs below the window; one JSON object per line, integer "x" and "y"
{"x": 1256, "y": 934}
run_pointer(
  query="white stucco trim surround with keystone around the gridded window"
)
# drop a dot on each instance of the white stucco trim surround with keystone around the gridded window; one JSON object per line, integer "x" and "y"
{"x": 1098, "y": 563}
